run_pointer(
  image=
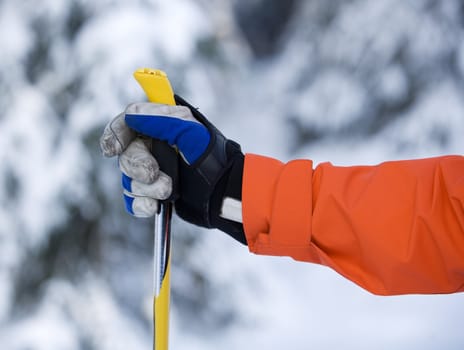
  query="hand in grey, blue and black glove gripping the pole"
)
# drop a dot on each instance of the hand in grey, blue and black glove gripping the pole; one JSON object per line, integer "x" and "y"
{"x": 210, "y": 167}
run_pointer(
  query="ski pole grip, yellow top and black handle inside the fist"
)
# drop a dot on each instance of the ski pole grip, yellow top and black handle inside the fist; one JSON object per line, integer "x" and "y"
{"x": 155, "y": 84}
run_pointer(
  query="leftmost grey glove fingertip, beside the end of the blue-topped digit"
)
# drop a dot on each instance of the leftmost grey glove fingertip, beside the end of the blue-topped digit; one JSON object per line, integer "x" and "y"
{"x": 116, "y": 137}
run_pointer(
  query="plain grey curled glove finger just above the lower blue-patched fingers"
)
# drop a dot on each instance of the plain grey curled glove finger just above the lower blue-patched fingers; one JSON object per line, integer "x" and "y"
{"x": 138, "y": 163}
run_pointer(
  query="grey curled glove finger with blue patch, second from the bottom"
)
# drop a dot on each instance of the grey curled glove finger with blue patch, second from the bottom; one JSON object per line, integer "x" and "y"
{"x": 160, "y": 189}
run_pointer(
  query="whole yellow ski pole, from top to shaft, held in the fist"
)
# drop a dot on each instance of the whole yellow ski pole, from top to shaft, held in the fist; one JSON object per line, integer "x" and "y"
{"x": 156, "y": 85}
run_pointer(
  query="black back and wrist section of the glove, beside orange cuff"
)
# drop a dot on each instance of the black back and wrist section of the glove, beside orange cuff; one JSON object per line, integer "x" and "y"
{"x": 217, "y": 174}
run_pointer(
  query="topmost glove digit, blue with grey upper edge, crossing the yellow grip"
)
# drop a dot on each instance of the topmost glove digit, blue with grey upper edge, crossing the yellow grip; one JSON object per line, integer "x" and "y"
{"x": 173, "y": 124}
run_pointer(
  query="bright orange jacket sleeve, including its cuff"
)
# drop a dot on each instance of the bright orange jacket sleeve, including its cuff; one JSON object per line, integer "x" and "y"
{"x": 394, "y": 228}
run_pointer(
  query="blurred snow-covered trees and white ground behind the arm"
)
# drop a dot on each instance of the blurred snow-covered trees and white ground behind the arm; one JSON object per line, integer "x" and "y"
{"x": 352, "y": 82}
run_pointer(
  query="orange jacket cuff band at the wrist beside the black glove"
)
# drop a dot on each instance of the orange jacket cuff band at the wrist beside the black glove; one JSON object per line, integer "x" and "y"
{"x": 277, "y": 206}
